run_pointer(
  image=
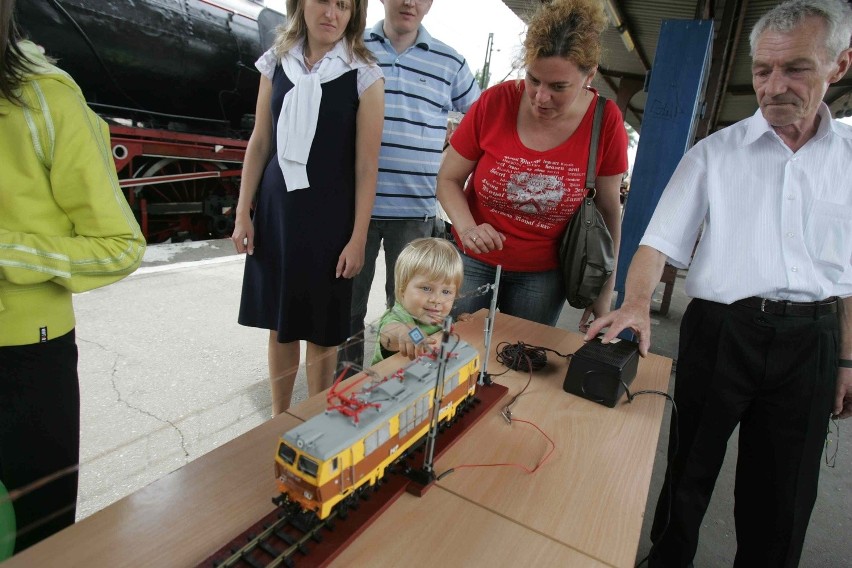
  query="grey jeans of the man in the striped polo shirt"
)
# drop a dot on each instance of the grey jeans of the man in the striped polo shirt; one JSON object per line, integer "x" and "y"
{"x": 393, "y": 236}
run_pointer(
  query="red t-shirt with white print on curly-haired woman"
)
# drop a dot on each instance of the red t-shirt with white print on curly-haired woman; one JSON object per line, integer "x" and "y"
{"x": 528, "y": 195}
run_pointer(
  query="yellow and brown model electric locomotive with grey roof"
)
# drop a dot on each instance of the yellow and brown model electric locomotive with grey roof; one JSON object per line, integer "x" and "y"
{"x": 324, "y": 460}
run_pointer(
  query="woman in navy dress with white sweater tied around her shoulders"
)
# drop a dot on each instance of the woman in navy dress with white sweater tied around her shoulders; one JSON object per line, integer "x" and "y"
{"x": 310, "y": 175}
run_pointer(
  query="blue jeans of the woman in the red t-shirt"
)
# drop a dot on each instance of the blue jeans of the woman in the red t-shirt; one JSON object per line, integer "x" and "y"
{"x": 534, "y": 296}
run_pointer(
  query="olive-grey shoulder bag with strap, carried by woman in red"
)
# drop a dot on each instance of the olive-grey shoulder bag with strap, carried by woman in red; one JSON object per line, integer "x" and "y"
{"x": 586, "y": 251}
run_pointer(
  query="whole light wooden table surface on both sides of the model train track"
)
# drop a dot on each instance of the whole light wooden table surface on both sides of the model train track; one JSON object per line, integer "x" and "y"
{"x": 584, "y": 507}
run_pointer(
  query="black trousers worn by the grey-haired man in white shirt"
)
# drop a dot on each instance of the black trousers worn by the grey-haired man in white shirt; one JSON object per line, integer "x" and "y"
{"x": 775, "y": 376}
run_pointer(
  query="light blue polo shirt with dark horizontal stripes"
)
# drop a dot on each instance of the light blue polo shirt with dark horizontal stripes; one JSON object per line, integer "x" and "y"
{"x": 422, "y": 84}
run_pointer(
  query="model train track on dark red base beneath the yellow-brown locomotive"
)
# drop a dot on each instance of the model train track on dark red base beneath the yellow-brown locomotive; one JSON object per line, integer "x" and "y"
{"x": 290, "y": 537}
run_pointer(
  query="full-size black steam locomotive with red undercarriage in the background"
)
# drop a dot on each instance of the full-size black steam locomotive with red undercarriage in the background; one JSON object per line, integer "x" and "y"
{"x": 176, "y": 82}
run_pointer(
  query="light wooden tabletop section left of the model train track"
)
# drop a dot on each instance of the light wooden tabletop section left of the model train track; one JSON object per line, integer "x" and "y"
{"x": 180, "y": 519}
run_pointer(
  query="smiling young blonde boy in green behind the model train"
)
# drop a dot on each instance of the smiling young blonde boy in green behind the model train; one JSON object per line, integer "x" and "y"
{"x": 428, "y": 275}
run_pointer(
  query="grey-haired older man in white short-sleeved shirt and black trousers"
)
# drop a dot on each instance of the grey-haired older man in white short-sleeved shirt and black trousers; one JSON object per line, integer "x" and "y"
{"x": 766, "y": 342}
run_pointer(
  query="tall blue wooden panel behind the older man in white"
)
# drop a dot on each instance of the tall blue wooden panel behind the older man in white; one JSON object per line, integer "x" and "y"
{"x": 675, "y": 90}
